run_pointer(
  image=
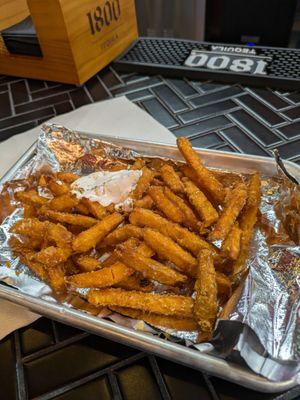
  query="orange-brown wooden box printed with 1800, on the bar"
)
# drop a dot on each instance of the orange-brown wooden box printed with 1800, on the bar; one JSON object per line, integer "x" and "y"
{"x": 77, "y": 37}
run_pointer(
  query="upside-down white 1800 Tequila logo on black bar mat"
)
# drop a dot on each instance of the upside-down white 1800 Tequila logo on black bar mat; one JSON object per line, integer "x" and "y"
{"x": 229, "y": 58}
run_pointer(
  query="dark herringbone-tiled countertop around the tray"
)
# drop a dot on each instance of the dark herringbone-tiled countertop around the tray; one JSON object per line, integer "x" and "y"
{"x": 48, "y": 360}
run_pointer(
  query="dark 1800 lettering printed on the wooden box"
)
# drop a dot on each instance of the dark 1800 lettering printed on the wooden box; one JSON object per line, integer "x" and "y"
{"x": 103, "y": 16}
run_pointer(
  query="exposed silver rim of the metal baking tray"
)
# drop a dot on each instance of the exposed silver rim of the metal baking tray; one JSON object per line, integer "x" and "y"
{"x": 172, "y": 351}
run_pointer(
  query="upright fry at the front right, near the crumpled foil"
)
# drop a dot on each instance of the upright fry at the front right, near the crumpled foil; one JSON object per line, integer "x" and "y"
{"x": 206, "y": 305}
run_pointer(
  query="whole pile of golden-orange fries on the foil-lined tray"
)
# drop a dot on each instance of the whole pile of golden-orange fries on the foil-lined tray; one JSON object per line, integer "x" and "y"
{"x": 172, "y": 260}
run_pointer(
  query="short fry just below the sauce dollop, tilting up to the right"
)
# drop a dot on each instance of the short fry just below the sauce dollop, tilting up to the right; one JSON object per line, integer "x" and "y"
{"x": 88, "y": 239}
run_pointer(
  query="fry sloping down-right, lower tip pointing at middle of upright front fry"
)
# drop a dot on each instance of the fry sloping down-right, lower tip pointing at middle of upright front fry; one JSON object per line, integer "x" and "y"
{"x": 151, "y": 269}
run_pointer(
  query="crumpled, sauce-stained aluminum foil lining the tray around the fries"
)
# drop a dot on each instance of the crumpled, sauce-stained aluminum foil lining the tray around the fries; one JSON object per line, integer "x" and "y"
{"x": 263, "y": 324}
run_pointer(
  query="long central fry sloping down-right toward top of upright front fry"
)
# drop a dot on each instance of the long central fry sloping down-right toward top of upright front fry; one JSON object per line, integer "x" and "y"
{"x": 182, "y": 236}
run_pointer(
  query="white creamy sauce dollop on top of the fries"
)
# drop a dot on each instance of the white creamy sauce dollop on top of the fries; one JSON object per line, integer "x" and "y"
{"x": 107, "y": 187}
